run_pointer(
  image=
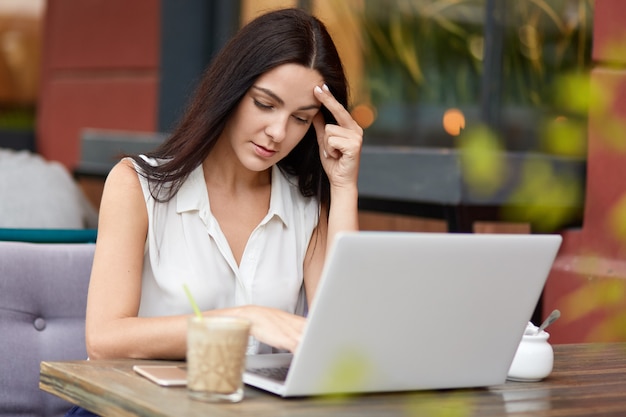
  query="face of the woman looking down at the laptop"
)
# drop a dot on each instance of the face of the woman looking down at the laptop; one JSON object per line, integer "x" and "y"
{"x": 273, "y": 116}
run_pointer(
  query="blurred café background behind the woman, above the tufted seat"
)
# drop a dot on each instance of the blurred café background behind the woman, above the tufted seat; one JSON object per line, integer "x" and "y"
{"x": 479, "y": 116}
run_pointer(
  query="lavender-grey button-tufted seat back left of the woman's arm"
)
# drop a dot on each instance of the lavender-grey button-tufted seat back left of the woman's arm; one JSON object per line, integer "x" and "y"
{"x": 43, "y": 294}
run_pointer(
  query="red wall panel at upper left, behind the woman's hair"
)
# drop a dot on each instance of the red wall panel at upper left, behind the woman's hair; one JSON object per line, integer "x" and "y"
{"x": 100, "y": 69}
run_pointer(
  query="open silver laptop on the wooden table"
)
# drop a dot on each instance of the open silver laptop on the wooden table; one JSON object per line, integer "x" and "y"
{"x": 404, "y": 311}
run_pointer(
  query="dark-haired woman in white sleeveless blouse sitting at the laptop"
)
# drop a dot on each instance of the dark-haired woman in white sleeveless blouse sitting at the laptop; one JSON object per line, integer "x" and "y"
{"x": 239, "y": 204}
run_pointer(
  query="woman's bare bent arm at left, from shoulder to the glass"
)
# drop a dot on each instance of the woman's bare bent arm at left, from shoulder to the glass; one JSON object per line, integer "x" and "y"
{"x": 112, "y": 326}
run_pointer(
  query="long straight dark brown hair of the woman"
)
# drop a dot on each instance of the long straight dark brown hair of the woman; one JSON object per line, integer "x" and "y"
{"x": 287, "y": 36}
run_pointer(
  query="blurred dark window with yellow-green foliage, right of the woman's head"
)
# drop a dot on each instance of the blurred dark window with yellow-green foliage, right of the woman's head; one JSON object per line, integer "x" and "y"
{"x": 423, "y": 57}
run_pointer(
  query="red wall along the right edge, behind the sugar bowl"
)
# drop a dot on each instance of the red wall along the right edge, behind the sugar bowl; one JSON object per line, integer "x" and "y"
{"x": 588, "y": 281}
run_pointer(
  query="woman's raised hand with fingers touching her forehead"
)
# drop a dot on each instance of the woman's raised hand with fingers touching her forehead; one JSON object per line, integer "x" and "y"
{"x": 340, "y": 144}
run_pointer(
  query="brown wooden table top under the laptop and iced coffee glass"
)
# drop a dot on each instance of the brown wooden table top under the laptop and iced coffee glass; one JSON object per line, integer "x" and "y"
{"x": 588, "y": 379}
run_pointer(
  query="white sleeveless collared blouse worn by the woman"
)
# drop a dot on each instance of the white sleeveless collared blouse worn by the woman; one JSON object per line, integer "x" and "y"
{"x": 185, "y": 245}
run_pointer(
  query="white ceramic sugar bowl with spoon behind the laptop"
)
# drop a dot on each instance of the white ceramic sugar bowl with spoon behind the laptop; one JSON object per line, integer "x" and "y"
{"x": 534, "y": 358}
